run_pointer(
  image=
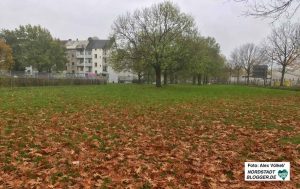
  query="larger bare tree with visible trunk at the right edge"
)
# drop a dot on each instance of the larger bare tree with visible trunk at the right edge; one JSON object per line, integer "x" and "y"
{"x": 283, "y": 43}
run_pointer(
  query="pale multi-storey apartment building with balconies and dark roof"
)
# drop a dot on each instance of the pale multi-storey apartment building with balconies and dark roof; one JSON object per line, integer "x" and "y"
{"x": 89, "y": 58}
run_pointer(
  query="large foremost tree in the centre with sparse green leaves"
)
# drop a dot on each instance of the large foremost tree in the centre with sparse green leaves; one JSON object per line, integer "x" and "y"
{"x": 152, "y": 31}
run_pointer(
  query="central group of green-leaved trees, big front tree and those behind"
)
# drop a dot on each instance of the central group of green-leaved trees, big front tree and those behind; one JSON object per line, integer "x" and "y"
{"x": 164, "y": 39}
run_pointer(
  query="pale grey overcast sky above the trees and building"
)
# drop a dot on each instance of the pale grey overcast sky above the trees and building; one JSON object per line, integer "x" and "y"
{"x": 71, "y": 19}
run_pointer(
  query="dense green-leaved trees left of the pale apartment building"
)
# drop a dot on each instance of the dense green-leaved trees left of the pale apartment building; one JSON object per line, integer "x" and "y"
{"x": 34, "y": 46}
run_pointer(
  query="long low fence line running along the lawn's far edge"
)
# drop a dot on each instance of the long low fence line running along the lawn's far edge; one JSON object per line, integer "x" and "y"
{"x": 23, "y": 79}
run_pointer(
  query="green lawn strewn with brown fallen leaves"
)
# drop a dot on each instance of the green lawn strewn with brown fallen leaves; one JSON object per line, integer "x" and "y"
{"x": 130, "y": 136}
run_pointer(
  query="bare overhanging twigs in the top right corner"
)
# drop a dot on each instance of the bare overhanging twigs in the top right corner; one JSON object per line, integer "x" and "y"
{"x": 271, "y": 8}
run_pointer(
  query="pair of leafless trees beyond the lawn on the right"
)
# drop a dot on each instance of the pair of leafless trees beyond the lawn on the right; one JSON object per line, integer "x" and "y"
{"x": 281, "y": 47}
